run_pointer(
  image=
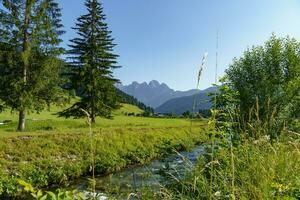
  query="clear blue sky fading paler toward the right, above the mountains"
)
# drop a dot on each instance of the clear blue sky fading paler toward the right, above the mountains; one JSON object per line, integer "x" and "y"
{"x": 165, "y": 39}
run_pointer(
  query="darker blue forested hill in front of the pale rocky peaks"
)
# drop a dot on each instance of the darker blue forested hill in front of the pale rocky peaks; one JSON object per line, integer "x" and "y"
{"x": 179, "y": 105}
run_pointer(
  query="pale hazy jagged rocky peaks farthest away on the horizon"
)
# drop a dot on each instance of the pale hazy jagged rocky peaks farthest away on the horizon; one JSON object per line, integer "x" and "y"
{"x": 153, "y": 93}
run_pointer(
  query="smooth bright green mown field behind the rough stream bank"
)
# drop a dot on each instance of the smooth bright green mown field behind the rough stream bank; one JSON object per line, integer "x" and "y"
{"x": 47, "y": 122}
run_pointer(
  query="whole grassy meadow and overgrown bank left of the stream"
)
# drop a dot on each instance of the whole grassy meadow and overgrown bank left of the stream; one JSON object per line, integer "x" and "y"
{"x": 53, "y": 151}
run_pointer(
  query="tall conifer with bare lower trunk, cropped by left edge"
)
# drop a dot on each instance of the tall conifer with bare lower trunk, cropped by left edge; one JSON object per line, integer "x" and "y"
{"x": 29, "y": 55}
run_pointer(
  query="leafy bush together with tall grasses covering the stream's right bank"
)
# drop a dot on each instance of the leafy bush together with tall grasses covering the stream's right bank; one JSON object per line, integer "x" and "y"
{"x": 258, "y": 98}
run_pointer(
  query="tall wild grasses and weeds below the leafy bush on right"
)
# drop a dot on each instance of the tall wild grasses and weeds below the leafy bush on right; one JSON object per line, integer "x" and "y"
{"x": 261, "y": 171}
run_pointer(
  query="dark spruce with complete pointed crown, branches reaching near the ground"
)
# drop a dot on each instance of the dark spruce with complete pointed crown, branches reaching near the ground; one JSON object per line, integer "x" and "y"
{"x": 91, "y": 63}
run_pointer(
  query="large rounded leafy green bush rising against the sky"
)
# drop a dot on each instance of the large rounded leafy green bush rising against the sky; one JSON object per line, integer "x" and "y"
{"x": 262, "y": 88}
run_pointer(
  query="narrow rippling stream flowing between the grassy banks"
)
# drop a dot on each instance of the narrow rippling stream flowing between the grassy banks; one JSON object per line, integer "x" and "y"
{"x": 153, "y": 176}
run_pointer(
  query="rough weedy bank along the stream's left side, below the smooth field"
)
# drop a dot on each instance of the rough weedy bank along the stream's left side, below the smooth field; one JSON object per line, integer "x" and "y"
{"x": 60, "y": 158}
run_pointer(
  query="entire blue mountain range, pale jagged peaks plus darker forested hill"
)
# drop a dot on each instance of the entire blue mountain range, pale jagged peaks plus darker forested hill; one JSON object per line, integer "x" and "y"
{"x": 166, "y": 100}
